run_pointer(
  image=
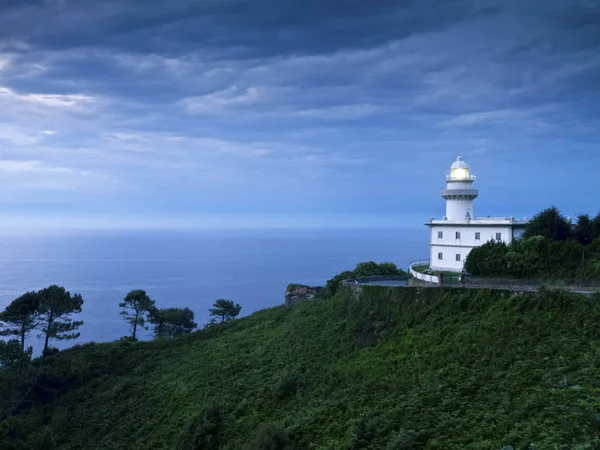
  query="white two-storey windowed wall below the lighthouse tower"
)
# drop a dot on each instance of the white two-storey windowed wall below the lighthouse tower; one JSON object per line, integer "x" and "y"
{"x": 450, "y": 246}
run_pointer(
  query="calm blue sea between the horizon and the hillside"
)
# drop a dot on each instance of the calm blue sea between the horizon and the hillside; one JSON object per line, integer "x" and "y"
{"x": 188, "y": 268}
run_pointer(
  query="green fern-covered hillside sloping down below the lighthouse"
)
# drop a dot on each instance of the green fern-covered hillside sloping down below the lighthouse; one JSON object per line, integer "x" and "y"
{"x": 389, "y": 369}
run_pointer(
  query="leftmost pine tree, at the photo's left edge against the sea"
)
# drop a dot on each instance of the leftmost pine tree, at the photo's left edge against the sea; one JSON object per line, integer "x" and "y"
{"x": 19, "y": 318}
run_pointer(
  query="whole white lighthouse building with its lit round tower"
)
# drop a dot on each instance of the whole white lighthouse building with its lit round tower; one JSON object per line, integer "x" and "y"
{"x": 453, "y": 237}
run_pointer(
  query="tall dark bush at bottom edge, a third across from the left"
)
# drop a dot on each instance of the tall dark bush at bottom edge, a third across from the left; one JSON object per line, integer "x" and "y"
{"x": 202, "y": 431}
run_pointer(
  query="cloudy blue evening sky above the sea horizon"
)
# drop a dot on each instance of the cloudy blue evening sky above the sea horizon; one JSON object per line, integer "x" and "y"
{"x": 264, "y": 113}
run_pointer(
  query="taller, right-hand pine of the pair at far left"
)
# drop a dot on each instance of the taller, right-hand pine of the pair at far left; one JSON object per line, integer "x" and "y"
{"x": 56, "y": 306}
